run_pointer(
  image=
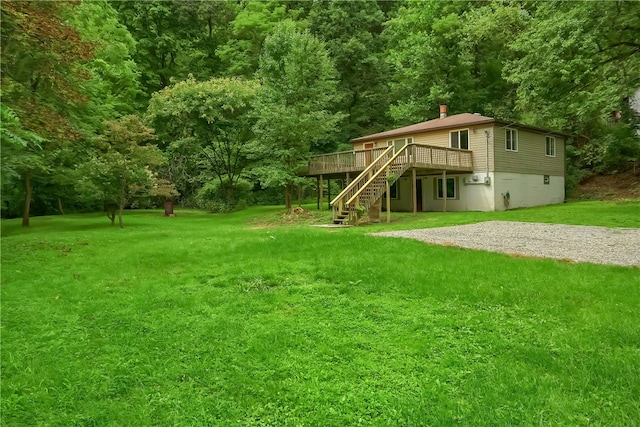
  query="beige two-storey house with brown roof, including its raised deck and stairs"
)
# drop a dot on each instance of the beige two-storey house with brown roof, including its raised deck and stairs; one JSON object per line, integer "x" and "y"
{"x": 456, "y": 163}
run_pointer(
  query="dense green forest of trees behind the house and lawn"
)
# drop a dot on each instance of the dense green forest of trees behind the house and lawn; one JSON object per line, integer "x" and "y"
{"x": 219, "y": 104}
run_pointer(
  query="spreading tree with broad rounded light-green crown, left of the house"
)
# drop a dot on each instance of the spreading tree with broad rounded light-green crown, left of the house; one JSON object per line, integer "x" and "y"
{"x": 211, "y": 122}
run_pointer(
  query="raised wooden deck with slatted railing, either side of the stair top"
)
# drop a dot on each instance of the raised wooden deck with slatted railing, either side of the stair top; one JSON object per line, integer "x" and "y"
{"x": 415, "y": 155}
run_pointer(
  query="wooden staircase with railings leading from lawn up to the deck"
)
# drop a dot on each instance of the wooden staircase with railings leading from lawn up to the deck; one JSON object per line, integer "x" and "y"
{"x": 353, "y": 203}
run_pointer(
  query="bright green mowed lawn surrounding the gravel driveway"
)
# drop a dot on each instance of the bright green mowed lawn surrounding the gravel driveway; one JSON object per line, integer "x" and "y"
{"x": 240, "y": 320}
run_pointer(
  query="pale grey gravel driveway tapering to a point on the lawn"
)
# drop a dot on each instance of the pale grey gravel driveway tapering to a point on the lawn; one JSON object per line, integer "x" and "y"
{"x": 599, "y": 245}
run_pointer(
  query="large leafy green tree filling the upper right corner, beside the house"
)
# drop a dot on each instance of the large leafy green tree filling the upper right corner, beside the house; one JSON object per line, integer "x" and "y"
{"x": 576, "y": 64}
